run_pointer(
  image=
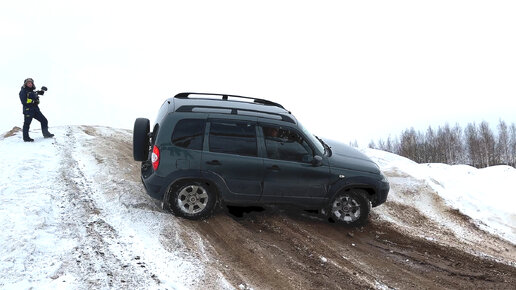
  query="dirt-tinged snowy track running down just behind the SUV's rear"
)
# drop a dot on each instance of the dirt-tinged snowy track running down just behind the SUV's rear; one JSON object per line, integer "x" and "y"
{"x": 112, "y": 150}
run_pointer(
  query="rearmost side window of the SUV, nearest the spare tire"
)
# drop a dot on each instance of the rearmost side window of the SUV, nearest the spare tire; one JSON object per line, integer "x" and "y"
{"x": 189, "y": 134}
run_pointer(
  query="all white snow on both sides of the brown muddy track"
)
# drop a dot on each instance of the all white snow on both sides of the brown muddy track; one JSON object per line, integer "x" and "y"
{"x": 70, "y": 221}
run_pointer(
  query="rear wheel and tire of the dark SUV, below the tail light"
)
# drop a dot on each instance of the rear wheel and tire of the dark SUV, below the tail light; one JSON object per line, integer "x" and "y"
{"x": 192, "y": 200}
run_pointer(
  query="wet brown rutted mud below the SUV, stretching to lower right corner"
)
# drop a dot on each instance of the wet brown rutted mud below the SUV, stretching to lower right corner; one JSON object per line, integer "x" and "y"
{"x": 287, "y": 250}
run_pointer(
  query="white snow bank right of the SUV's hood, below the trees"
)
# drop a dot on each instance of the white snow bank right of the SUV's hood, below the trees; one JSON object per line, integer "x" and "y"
{"x": 487, "y": 196}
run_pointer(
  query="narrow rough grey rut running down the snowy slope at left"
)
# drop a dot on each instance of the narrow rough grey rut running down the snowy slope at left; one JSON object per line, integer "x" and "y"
{"x": 96, "y": 260}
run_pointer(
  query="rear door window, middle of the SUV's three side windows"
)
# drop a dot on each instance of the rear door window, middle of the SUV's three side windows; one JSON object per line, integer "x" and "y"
{"x": 233, "y": 138}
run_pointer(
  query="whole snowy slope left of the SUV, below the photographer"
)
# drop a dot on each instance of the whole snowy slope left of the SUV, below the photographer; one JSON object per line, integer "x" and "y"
{"x": 69, "y": 221}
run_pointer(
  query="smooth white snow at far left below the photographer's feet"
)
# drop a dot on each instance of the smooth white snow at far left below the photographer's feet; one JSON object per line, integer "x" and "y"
{"x": 31, "y": 242}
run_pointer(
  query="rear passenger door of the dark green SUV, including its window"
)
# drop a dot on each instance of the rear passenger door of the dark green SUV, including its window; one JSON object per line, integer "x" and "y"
{"x": 233, "y": 155}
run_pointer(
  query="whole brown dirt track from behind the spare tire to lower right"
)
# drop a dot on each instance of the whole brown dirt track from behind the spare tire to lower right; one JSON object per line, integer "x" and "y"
{"x": 282, "y": 249}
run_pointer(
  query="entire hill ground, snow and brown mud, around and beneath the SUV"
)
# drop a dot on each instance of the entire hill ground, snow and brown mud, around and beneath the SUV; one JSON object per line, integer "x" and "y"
{"x": 73, "y": 214}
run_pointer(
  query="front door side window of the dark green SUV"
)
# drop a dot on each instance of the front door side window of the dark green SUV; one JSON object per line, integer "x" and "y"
{"x": 284, "y": 144}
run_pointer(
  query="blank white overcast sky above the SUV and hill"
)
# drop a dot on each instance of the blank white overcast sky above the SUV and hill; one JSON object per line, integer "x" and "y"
{"x": 347, "y": 69}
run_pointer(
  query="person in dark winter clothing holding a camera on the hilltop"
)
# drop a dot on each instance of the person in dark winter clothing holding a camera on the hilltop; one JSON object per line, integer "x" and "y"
{"x": 30, "y": 101}
